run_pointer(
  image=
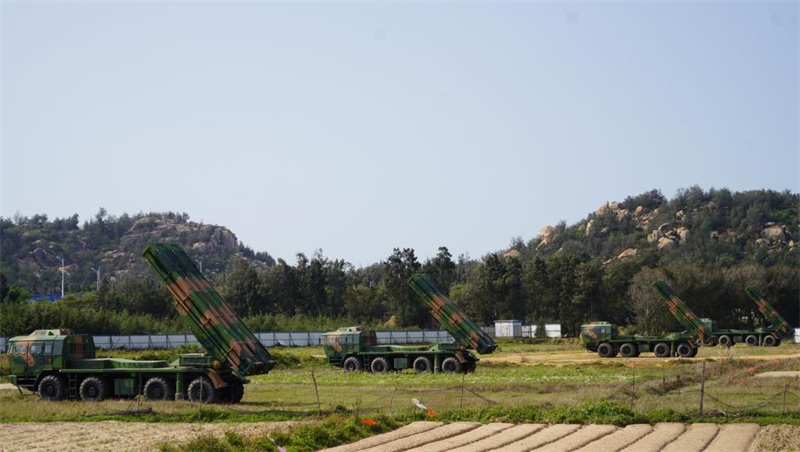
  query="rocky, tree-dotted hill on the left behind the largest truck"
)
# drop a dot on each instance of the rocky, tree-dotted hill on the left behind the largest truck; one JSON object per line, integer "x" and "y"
{"x": 33, "y": 248}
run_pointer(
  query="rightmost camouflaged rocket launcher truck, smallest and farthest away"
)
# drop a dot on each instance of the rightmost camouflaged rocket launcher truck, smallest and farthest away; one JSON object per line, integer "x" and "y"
{"x": 765, "y": 336}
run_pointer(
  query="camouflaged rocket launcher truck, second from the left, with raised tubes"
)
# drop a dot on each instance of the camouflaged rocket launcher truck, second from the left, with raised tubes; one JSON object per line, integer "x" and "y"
{"x": 355, "y": 348}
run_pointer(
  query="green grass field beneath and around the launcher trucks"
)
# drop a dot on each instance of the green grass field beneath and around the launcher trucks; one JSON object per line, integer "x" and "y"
{"x": 543, "y": 375}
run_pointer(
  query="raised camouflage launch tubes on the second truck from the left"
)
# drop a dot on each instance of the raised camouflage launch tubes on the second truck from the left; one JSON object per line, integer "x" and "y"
{"x": 451, "y": 317}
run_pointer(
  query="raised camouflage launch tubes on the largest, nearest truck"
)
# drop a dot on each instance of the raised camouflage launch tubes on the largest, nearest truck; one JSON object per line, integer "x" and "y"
{"x": 233, "y": 347}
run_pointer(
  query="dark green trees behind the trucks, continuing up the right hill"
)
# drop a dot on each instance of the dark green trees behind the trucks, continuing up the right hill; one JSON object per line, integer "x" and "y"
{"x": 570, "y": 276}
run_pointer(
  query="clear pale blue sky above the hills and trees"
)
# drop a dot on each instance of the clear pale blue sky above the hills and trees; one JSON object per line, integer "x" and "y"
{"x": 358, "y": 127}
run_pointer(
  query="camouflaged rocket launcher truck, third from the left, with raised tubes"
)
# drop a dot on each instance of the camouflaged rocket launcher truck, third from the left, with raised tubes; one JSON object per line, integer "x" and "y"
{"x": 605, "y": 339}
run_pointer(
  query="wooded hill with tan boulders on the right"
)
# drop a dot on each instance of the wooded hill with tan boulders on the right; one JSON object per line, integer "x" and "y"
{"x": 717, "y": 227}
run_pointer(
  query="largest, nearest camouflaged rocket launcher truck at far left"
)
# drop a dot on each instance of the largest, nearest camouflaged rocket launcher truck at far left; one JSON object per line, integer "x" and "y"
{"x": 59, "y": 364}
